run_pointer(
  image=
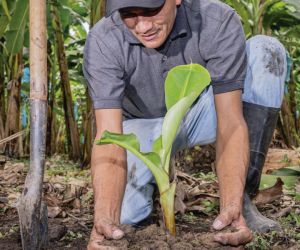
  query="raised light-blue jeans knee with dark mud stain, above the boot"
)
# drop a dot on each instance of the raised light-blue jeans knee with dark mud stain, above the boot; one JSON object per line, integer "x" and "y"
{"x": 266, "y": 72}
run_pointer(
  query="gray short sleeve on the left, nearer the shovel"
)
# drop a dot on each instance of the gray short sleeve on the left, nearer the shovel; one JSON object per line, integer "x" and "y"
{"x": 103, "y": 73}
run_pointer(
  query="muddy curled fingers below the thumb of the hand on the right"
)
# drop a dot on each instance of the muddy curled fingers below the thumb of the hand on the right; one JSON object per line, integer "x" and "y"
{"x": 240, "y": 237}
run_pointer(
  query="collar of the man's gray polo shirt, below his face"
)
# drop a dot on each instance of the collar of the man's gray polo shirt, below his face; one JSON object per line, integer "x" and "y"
{"x": 180, "y": 27}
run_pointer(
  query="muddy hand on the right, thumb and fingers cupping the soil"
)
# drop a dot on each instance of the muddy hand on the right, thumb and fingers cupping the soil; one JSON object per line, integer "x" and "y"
{"x": 232, "y": 216}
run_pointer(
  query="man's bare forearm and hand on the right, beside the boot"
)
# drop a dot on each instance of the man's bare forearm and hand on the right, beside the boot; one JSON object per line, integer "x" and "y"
{"x": 232, "y": 149}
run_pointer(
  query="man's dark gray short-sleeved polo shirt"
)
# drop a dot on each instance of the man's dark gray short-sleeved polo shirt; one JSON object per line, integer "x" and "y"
{"x": 122, "y": 73}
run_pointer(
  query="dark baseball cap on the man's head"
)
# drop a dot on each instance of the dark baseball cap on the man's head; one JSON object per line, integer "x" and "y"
{"x": 113, "y": 5}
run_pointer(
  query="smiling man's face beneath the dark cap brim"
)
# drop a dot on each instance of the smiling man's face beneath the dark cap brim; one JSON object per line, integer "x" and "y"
{"x": 151, "y": 26}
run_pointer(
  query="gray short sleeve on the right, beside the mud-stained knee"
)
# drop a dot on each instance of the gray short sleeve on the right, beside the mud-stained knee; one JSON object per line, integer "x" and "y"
{"x": 226, "y": 59}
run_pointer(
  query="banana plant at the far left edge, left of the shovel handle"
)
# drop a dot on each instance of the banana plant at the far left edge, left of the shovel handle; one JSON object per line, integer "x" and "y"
{"x": 13, "y": 30}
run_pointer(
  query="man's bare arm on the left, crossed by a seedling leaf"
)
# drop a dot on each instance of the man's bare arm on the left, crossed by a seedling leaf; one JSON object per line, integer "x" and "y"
{"x": 108, "y": 165}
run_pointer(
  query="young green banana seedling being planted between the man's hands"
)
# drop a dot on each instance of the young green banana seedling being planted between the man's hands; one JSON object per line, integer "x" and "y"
{"x": 182, "y": 87}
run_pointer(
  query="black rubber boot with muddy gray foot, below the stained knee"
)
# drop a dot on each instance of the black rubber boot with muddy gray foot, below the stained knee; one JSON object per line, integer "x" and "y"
{"x": 261, "y": 122}
